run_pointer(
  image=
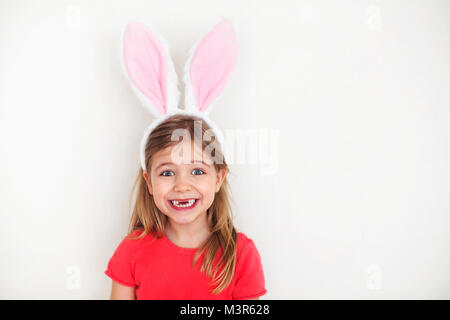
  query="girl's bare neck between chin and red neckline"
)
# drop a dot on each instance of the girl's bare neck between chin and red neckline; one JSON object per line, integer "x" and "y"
{"x": 188, "y": 236}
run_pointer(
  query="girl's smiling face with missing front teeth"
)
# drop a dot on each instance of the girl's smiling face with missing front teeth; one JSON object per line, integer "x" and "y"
{"x": 177, "y": 174}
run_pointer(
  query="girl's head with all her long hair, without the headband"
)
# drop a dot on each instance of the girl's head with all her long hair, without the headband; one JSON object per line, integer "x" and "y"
{"x": 193, "y": 168}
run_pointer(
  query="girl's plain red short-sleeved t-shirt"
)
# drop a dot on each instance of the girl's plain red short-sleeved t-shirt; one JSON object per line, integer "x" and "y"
{"x": 160, "y": 270}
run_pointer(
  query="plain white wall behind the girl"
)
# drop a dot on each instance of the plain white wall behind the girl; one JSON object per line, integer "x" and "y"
{"x": 357, "y": 91}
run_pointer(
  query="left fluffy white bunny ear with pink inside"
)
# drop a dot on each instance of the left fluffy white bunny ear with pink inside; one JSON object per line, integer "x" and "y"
{"x": 149, "y": 68}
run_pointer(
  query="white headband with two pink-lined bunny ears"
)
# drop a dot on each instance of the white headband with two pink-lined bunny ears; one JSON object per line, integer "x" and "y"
{"x": 150, "y": 70}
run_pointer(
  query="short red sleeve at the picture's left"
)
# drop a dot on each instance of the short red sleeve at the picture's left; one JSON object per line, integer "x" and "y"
{"x": 121, "y": 265}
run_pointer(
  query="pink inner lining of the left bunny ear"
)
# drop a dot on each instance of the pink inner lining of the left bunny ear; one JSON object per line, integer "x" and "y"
{"x": 146, "y": 63}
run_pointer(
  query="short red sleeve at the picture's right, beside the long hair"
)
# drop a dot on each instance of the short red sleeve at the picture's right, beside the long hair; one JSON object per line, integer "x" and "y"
{"x": 250, "y": 282}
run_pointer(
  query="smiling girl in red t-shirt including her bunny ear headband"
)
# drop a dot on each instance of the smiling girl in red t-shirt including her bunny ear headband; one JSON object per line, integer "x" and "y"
{"x": 181, "y": 242}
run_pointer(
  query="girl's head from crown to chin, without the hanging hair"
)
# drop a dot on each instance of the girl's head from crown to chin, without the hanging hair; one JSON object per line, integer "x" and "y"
{"x": 182, "y": 170}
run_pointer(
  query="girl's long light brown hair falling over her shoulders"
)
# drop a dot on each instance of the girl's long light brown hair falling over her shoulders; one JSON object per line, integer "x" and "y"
{"x": 148, "y": 217}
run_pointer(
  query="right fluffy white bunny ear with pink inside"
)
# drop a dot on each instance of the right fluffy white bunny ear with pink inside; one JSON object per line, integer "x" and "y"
{"x": 210, "y": 64}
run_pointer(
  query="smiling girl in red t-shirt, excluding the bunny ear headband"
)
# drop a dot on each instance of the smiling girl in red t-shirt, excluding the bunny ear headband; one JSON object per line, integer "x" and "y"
{"x": 182, "y": 210}
